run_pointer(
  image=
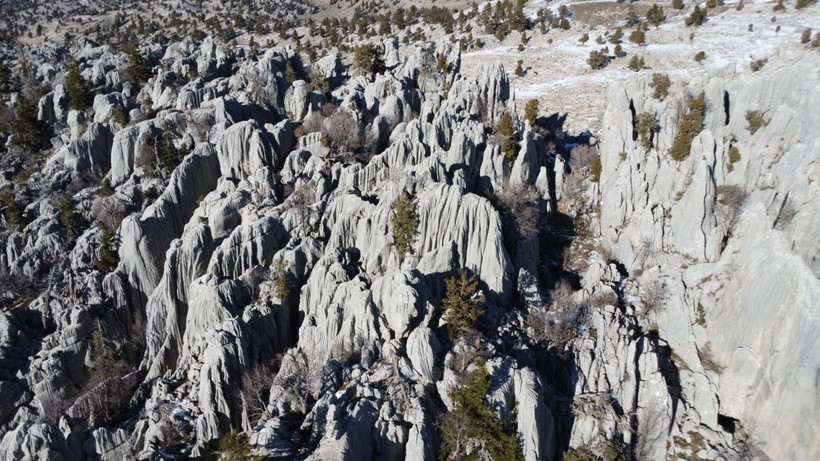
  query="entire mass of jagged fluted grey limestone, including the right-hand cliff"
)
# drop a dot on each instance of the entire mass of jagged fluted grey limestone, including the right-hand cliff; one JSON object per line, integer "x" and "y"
{"x": 260, "y": 287}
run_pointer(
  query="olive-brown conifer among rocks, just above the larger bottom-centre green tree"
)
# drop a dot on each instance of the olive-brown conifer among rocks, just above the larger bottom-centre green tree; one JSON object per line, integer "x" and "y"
{"x": 460, "y": 305}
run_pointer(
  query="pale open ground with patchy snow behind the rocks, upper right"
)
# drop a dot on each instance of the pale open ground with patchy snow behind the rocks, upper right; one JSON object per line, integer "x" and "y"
{"x": 560, "y": 78}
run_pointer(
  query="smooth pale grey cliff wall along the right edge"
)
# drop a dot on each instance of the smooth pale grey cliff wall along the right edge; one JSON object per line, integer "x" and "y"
{"x": 735, "y": 239}
